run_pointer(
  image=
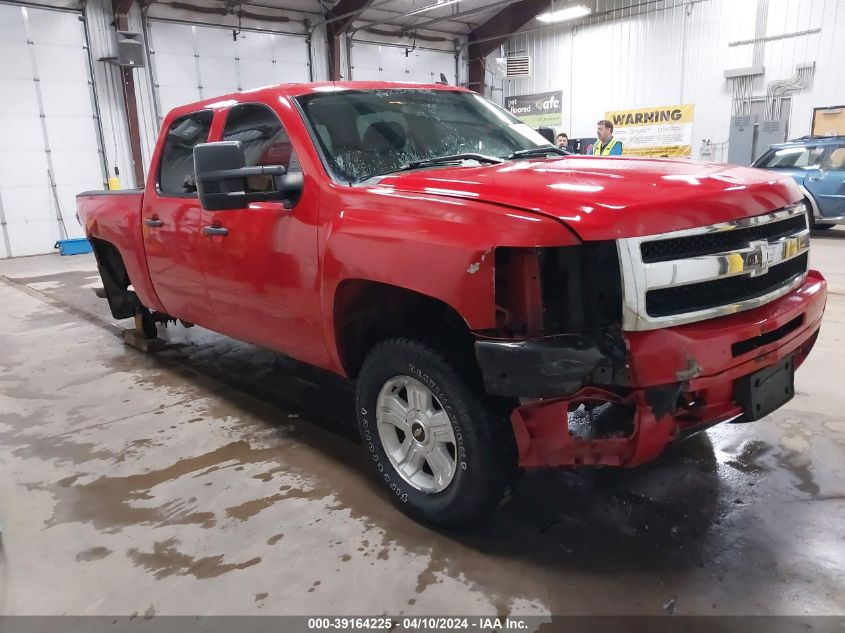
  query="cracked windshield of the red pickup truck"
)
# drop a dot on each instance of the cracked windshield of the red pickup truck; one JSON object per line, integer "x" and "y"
{"x": 367, "y": 134}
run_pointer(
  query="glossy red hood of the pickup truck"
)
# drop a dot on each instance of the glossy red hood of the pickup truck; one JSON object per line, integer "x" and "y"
{"x": 602, "y": 198}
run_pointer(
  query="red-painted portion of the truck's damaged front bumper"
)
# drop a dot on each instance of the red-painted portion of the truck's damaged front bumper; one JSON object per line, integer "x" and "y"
{"x": 541, "y": 428}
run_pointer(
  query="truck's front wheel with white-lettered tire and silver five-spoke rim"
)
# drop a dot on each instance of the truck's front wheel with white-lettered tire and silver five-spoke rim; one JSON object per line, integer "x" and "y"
{"x": 483, "y": 448}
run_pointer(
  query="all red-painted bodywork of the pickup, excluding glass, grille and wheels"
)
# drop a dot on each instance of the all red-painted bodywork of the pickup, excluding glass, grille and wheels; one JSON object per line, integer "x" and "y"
{"x": 273, "y": 280}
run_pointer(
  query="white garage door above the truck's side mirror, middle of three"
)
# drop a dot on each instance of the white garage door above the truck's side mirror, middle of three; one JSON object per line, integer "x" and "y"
{"x": 192, "y": 62}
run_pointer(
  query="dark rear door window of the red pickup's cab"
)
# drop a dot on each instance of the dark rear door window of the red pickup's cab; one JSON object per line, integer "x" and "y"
{"x": 176, "y": 170}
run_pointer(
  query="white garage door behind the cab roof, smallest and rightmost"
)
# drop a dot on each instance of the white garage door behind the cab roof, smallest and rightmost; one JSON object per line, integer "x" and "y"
{"x": 377, "y": 62}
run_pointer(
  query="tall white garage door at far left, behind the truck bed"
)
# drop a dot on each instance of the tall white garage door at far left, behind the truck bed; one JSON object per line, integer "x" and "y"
{"x": 48, "y": 127}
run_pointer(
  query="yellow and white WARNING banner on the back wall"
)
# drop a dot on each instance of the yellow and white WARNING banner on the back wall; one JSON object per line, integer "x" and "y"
{"x": 659, "y": 131}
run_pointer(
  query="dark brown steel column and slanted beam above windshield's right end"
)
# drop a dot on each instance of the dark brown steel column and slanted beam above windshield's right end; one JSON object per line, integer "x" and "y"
{"x": 485, "y": 38}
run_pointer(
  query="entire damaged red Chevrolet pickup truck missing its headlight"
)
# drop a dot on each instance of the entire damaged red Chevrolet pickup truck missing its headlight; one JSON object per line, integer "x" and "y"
{"x": 500, "y": 305}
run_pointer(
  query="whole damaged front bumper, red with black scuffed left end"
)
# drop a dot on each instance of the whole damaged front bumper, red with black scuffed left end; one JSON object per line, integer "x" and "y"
{"x": 653, "y": 386}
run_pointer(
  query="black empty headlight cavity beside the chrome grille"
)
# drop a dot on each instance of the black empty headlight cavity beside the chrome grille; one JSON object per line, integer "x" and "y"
{"x": 581, "y": 286}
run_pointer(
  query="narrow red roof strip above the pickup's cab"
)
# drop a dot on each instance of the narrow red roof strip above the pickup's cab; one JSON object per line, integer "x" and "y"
{"x": 299, "y": 89}
